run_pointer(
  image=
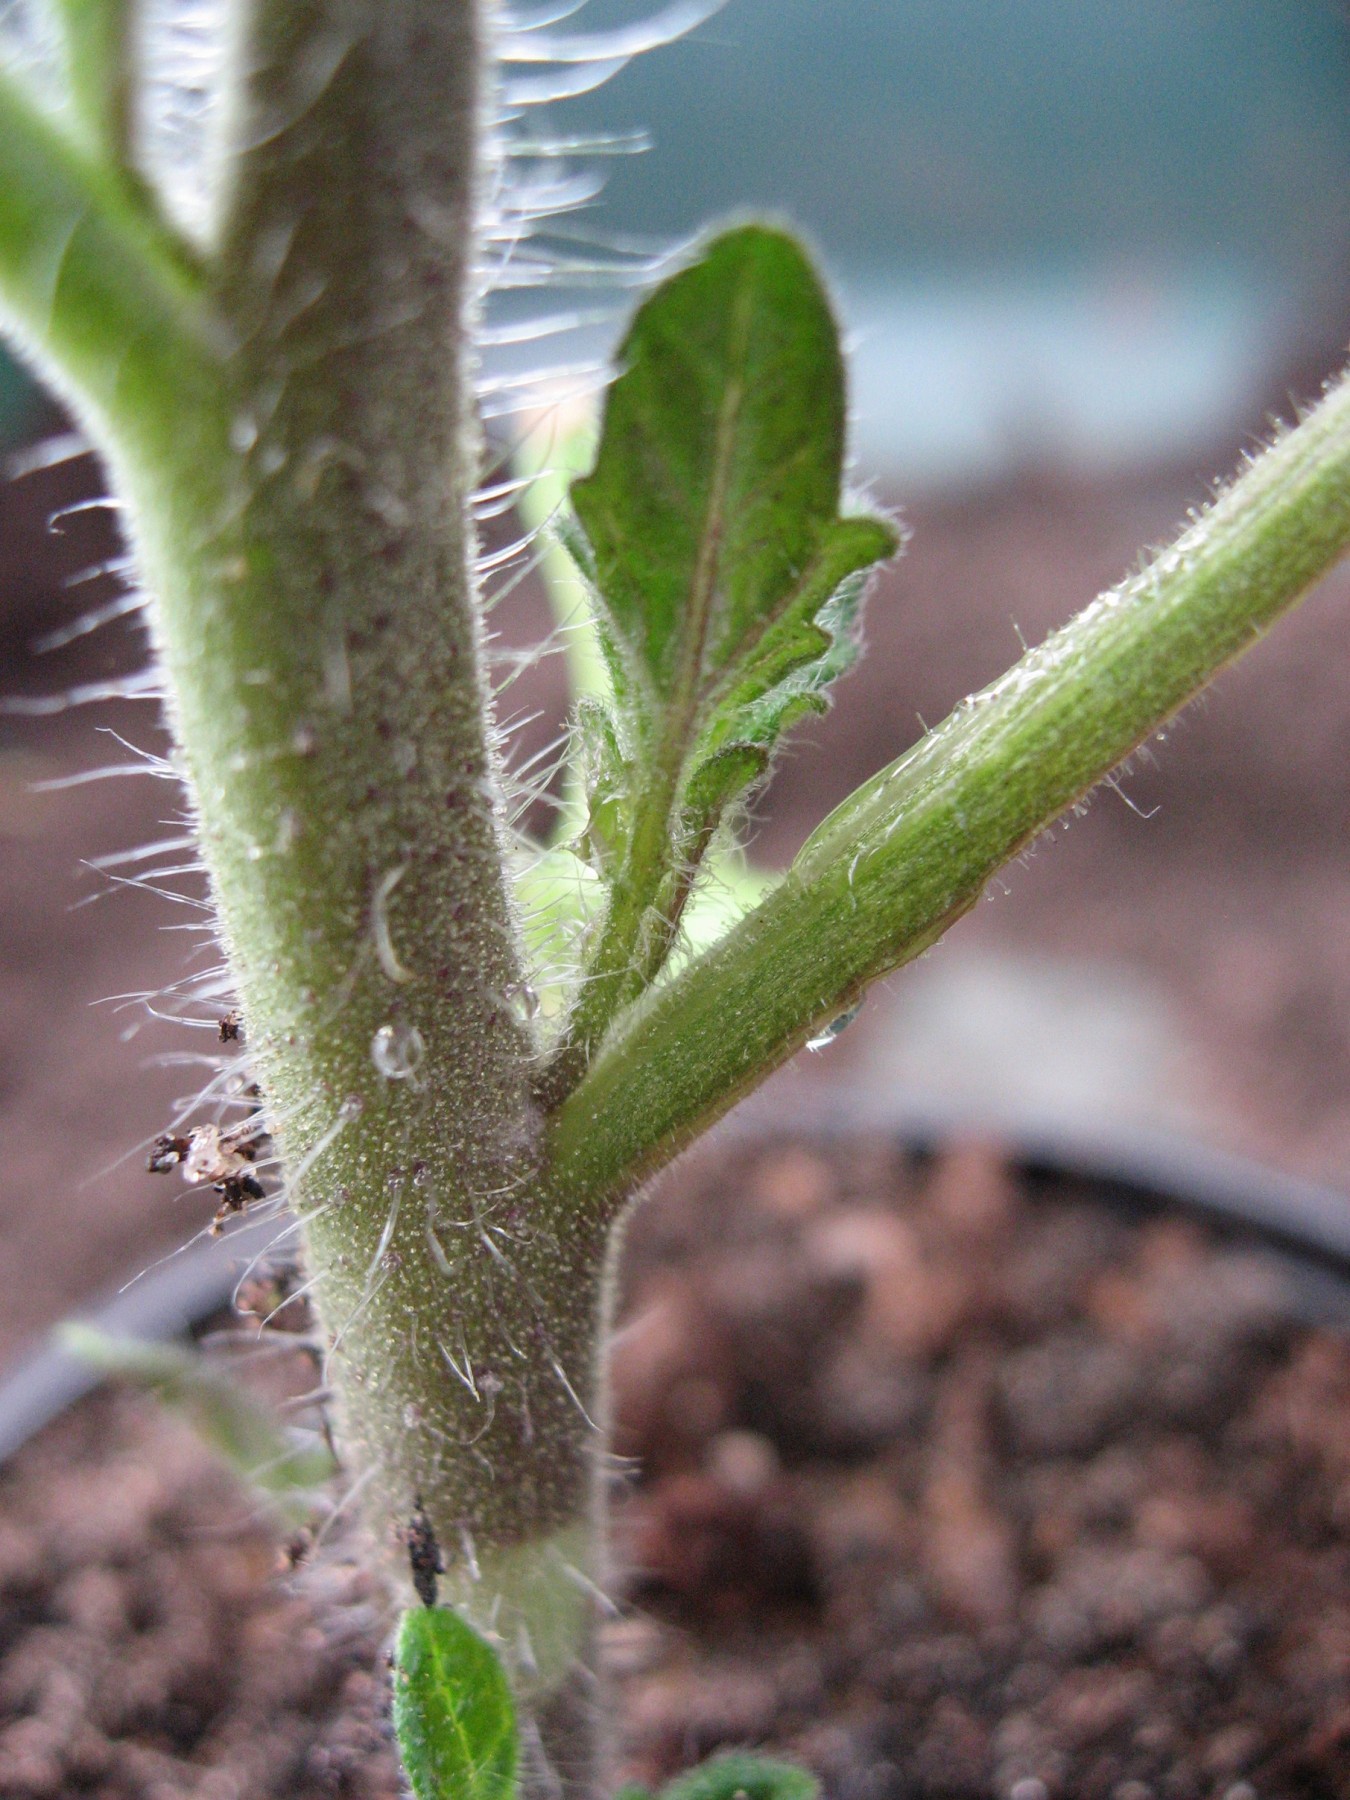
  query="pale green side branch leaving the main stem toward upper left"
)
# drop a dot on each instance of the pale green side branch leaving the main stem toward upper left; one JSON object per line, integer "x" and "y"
{"x": 94, "y": 291}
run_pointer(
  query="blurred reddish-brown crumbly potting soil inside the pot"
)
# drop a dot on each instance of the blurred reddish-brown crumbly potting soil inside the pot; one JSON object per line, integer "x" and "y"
{"x": 946, "y": 1482}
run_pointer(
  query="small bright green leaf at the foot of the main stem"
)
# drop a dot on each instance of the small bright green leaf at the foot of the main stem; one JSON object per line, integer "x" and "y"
{"x": 453, "y": 1709}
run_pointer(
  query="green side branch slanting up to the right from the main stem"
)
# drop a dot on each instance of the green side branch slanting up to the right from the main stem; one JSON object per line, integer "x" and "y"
{"x": 906, "y": 856}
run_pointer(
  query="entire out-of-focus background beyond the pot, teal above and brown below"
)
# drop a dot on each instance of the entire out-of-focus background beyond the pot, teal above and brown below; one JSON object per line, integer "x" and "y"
{"x": 1086, "y": 253}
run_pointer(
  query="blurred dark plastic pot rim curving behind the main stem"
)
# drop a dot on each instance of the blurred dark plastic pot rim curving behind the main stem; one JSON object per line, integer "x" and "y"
{"x": 1288, "y": 1214}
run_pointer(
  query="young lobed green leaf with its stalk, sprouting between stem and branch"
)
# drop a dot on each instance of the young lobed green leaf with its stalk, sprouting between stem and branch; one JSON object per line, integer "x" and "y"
{"x": 726, "y": 579}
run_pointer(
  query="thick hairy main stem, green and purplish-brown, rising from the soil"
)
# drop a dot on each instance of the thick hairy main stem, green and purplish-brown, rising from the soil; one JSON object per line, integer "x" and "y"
{"x": 312, "y": 562}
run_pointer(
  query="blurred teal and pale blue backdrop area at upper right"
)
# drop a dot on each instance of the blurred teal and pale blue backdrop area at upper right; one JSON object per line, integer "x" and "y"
{"x": 1083, "y": 231}
